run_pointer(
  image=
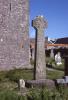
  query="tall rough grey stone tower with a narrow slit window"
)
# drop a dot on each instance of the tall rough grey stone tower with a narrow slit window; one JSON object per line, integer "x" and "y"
{"x": 14, "y": 39}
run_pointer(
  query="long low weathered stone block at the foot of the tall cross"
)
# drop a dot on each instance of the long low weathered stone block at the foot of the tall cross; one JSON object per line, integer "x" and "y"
{"x": 40, "y": 83}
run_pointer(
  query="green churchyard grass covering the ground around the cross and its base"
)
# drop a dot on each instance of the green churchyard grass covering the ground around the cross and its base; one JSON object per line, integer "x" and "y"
{"x": 9, "y": 86}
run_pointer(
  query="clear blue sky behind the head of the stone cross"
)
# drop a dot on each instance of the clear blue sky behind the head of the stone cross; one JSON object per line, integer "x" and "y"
{"x": 56, "y": 14}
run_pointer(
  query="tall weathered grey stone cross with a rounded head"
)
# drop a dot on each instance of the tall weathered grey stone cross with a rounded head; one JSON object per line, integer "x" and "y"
{"x": 40, "y": 65}
